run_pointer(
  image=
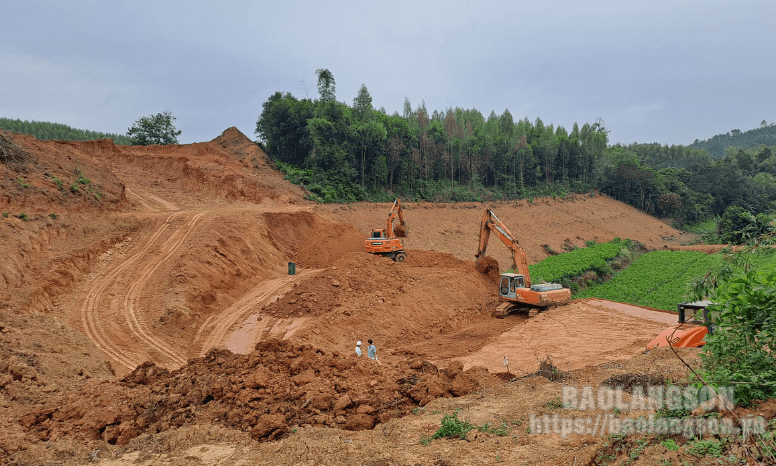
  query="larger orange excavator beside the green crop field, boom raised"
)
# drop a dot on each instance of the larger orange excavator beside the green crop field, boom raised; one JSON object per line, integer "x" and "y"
{"x": 515, "y": 289}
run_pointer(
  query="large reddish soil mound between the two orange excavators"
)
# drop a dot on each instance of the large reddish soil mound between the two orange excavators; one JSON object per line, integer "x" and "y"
{"x": 399, "y": 305}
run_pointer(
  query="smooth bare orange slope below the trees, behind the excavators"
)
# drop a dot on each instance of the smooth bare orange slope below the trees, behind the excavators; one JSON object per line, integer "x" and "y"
{"x": 541, "y": 225}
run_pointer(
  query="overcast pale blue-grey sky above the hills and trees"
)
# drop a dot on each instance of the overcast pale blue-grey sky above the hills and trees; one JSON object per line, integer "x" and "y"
{"x": 666, "y": 71}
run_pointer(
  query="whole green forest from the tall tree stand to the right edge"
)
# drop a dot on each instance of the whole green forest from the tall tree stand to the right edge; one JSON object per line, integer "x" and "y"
{"x": 349, "y": 153}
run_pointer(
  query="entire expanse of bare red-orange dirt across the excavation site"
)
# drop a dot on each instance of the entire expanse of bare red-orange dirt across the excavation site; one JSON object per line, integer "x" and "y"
{"x": 147, "y": 317}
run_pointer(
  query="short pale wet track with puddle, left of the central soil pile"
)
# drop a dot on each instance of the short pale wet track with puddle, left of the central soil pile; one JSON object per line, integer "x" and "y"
{"x": 217, "y": 328}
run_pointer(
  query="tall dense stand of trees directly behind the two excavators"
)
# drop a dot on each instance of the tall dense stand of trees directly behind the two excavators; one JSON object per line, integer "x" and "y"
{"x": 351, "y": 153}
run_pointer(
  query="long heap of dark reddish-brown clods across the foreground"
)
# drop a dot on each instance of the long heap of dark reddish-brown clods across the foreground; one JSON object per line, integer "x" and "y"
{"x": 267, "y": 393}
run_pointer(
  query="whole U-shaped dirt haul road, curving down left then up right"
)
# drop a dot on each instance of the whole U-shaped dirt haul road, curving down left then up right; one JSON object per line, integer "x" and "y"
{"x": 111, "y": 311}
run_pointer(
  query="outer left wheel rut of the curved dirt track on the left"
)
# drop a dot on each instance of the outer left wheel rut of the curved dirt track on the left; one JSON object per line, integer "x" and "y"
{"x": 97, "y": 330}
